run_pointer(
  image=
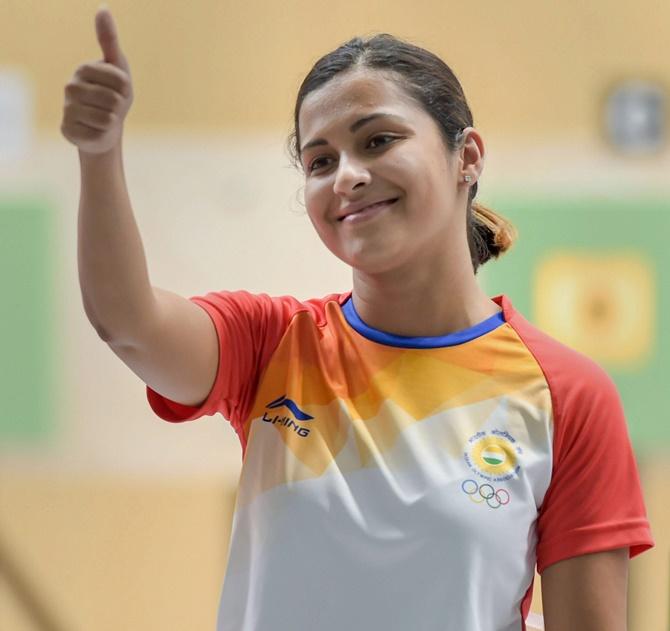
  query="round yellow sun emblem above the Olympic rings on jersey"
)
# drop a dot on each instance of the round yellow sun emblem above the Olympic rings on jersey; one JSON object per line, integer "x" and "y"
{"x": 493, "y": 455}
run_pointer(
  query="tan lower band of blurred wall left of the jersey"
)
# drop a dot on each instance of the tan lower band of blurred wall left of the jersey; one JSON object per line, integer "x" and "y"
{"x": 107, "y": 553}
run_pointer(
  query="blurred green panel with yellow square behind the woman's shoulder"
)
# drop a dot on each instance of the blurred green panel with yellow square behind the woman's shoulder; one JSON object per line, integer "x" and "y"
{"x": 600, "y": 266}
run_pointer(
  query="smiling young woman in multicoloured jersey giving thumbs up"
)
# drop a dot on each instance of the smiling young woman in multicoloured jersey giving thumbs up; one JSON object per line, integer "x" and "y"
{"x": 412, "y": 449}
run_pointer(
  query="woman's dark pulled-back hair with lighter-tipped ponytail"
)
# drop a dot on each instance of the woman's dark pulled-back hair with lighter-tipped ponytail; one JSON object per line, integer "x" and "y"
{"x": 431, "y": 83}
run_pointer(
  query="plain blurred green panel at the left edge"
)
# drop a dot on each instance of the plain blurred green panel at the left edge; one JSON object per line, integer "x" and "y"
{"x": 29, "y": 331}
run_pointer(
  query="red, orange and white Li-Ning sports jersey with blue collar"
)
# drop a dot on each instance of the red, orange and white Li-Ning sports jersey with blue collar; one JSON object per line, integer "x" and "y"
{"x": 394, "y": 483}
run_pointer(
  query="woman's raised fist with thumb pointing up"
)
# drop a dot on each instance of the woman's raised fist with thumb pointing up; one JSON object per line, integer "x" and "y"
{"x": 99, "y": 95}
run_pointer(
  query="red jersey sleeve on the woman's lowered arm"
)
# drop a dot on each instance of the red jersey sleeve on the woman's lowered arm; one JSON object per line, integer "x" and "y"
{"x": 594, "y": 501}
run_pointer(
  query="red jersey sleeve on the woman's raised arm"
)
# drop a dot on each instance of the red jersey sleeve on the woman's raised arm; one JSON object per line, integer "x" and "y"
{"x": 249, "y": 328}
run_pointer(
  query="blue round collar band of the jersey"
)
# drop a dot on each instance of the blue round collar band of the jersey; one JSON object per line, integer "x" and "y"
{"x": 438, "y": 341}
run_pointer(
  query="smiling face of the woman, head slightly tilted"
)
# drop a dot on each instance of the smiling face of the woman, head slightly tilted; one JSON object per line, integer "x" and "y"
{"x": 397, "y": 155}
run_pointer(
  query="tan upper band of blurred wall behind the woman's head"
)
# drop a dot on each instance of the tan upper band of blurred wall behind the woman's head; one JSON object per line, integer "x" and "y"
{"x": 528, "y": 68}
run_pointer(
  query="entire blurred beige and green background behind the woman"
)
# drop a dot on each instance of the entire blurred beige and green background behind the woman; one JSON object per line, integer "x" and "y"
{"x": 111, "y": 518}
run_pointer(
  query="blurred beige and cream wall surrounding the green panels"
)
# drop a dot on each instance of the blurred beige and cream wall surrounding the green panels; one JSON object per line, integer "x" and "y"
{"x": 122, "y": 520}
